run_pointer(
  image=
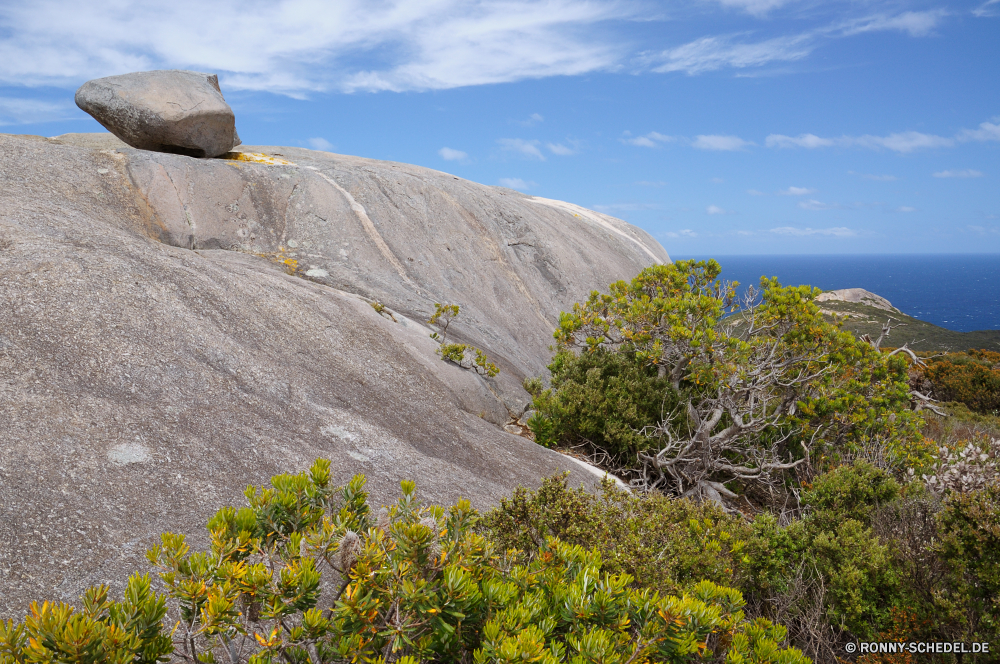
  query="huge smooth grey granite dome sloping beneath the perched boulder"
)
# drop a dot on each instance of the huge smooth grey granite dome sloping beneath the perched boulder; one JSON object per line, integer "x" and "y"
{"x": 156, "y": 357}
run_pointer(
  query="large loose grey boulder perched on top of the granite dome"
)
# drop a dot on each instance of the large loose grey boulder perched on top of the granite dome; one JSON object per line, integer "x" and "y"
{"x": 174, "y": 111}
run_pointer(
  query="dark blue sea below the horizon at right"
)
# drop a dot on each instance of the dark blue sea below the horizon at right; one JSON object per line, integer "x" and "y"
{"x": 960, "y": 292}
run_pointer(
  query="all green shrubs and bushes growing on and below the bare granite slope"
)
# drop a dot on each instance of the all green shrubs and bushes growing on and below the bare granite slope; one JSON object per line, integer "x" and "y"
{"x": 787, "y": 500}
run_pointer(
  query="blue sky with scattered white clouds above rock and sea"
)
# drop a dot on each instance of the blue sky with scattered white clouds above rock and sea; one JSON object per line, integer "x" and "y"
{"x": 719, "y": 126}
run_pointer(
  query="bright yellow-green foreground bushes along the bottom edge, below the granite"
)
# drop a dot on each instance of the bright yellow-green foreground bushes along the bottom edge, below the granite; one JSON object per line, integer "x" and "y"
{"x": 307, "y": 574}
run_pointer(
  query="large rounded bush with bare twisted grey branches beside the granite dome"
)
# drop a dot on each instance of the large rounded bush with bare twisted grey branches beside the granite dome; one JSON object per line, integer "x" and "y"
{"x": 744, "y": 398}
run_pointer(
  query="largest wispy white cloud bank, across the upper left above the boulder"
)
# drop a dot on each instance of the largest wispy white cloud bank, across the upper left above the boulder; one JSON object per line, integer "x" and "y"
{"x": 299, "y": 46}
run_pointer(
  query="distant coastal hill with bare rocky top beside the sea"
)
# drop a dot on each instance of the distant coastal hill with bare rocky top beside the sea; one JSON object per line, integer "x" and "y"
{"x": 863, "y": 312}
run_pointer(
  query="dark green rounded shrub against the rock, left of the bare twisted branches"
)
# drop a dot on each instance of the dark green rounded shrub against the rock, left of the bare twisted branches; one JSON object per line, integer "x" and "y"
{"x": 601, "y": 398}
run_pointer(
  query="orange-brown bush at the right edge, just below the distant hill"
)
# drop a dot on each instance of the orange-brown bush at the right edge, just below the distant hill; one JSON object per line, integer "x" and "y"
{"x": 971, "y": 378}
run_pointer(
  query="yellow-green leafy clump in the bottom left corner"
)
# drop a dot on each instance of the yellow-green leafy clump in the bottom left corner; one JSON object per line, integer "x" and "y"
{"x": 102, "y": 632}
